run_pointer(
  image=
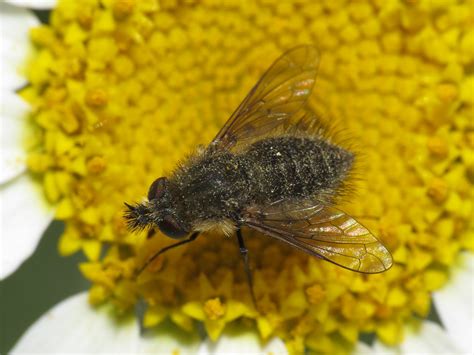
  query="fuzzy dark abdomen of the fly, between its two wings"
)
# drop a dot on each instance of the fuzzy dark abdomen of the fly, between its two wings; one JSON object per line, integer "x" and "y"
{"x": 294, "y": 167}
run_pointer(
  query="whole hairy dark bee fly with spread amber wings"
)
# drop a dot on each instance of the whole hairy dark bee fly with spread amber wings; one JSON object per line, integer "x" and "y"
{"x": 272, "y": 168}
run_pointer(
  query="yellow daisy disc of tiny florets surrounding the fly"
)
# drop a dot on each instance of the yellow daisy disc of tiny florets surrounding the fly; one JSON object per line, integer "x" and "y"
{"x": 122, "y": 90}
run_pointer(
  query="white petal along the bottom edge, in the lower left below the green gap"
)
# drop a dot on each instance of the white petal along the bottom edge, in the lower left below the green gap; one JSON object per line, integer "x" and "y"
{"x": 75, "y": 326}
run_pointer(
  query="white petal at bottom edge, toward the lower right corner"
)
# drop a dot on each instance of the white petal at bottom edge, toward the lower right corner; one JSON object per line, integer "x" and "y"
{"x": 429, "y": 339}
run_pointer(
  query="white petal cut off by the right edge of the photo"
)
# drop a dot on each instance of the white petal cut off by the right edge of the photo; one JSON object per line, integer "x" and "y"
{"x": 454, "y": 304}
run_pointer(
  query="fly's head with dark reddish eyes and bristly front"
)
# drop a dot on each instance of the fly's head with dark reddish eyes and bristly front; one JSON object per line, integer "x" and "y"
{"x": 159, "y": 211}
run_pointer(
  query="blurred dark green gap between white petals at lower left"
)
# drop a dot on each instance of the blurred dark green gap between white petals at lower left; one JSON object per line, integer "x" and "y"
{"x": 42, "y": 281}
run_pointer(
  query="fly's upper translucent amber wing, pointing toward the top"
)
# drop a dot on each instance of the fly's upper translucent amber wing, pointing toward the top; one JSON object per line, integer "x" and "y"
{"x": 271, "y": 104}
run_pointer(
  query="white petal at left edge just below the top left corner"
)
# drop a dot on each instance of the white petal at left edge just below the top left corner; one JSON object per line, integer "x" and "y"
{"x": 16, "y": 46}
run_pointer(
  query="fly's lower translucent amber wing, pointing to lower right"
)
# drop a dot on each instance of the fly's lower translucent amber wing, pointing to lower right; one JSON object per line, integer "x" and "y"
{"x": 322, "y": 231}
